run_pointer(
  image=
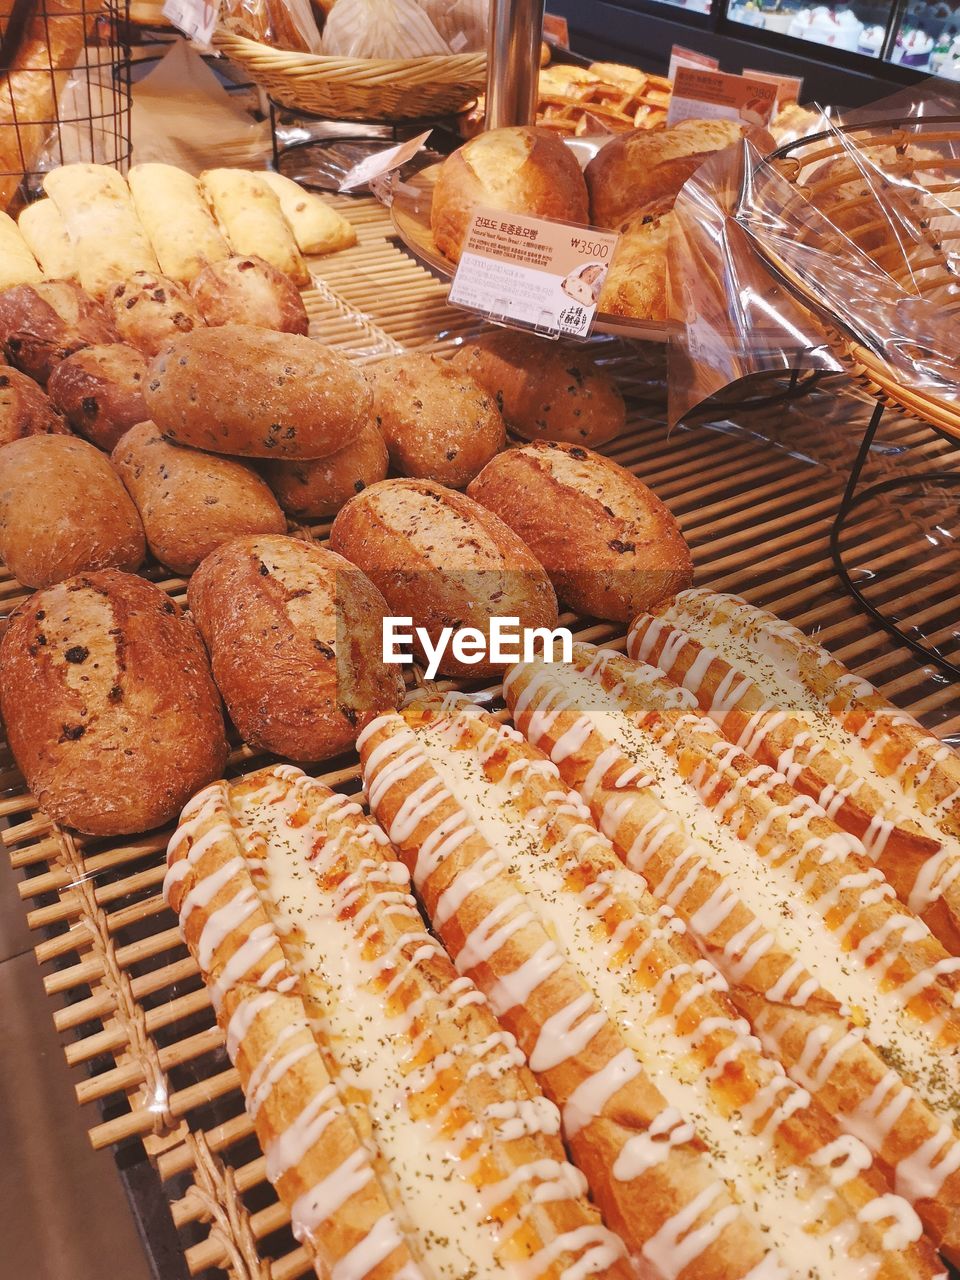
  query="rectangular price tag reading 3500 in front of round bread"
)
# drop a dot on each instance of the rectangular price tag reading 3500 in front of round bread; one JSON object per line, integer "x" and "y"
{"x": 533, "y": 273}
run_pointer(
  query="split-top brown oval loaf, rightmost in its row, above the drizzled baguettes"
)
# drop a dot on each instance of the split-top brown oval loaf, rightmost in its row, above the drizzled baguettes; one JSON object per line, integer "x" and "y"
{"x": 610, "y": 546}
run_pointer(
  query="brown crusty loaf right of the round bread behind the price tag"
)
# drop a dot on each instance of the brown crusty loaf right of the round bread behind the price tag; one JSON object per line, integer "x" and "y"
{"x": 646, "y": 167}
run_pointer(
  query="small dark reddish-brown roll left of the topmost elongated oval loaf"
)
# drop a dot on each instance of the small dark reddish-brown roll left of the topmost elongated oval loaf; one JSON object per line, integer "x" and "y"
{"x": 100, "y": 391}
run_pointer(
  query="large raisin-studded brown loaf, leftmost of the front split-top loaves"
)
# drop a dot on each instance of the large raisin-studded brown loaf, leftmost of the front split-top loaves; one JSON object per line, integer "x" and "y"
{"x": 109, "y": 706}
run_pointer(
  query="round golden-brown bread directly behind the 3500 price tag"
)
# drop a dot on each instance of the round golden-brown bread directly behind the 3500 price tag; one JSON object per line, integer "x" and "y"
{"x": 519, "y": 171}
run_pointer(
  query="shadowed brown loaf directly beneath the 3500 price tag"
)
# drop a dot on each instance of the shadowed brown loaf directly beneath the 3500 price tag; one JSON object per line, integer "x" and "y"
{"x": 547, "y": 391}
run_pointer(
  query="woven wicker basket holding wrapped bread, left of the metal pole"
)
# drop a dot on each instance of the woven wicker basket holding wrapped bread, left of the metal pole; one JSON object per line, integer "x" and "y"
{"x": 360, "y": 89}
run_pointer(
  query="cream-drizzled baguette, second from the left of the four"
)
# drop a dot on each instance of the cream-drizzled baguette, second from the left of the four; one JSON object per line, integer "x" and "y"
{"x": 523, "y": 853}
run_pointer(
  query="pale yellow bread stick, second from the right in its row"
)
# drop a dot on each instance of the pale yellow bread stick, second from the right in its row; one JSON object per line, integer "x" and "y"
{"x": 250, "y": 217}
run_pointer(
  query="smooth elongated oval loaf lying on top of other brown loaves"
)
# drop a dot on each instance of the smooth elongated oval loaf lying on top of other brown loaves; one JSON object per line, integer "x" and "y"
{"x": 246, "y": 391}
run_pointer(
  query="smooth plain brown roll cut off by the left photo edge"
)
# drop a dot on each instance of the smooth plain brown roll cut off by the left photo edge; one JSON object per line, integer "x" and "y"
{"x": 63, "y": 510}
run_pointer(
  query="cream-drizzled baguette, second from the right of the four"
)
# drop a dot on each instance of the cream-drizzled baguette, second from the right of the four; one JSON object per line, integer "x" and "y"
{"x": 772, "y": 924}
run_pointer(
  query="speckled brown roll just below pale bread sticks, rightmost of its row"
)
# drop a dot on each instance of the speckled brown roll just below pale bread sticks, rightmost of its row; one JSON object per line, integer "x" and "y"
{"x": 250, "y": 291}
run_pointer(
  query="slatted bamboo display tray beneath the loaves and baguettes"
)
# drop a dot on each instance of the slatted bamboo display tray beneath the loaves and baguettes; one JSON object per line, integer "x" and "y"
{"x": 756, "y": 492}
